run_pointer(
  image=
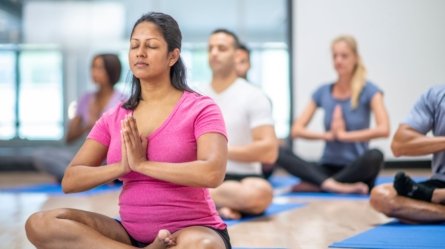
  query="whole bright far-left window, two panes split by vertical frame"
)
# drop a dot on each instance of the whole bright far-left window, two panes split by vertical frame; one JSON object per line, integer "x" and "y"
{"x": 31, "y": 94}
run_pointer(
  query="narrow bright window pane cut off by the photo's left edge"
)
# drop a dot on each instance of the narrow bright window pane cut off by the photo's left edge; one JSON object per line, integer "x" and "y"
{"x": 7, "y": 94}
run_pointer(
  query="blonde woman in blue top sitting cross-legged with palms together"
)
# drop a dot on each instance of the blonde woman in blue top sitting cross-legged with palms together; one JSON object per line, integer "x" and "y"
{"x": 347, "y": 165}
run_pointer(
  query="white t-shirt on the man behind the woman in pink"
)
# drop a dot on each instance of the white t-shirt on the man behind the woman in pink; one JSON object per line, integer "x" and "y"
{"x": 244, "y": 107}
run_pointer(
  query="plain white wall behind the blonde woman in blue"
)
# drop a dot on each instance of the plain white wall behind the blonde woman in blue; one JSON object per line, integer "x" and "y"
{"x": 402, "y": 43}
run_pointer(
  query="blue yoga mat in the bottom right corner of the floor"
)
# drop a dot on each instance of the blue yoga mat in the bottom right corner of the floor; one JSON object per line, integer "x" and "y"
{"x": 395, "y": 235}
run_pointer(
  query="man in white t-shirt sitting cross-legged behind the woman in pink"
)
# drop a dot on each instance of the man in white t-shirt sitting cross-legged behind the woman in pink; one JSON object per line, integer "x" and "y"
{"x": 248, "y": 116}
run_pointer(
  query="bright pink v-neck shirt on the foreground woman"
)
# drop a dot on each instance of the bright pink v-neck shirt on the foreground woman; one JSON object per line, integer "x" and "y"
{"x": 148, "y": 204}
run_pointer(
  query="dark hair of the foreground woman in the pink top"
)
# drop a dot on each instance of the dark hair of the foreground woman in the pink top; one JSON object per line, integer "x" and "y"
{"x": 169, "y": 29}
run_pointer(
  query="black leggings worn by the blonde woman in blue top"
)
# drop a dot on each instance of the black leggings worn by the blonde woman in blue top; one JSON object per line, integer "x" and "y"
{"x": 364, "y": 169}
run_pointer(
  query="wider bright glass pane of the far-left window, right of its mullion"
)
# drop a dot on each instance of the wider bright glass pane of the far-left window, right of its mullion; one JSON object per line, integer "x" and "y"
{"x": 41, "y": 95}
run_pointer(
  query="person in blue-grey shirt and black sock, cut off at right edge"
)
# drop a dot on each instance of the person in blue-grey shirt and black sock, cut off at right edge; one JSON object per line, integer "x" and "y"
{"x": 405, "y": 199}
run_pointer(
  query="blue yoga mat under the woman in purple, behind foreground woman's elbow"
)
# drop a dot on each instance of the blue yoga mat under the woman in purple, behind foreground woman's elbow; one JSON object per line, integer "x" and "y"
{"x": 56, "y": 189}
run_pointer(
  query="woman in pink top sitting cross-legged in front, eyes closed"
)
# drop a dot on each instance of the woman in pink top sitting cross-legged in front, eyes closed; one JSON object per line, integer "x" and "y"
{"x": 167, "y": 144}
